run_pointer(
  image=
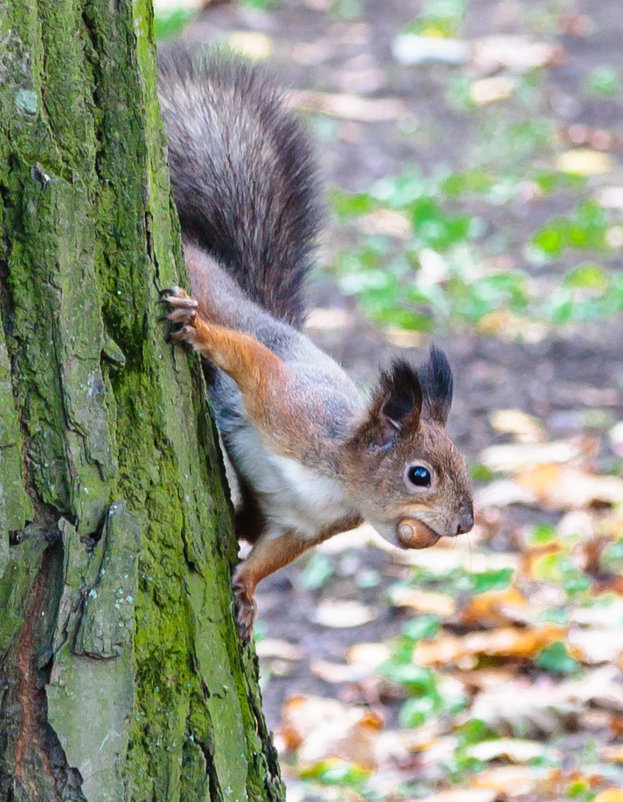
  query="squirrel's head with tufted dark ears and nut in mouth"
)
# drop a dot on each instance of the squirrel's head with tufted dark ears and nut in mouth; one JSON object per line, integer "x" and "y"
{"x": 405, "y": 474}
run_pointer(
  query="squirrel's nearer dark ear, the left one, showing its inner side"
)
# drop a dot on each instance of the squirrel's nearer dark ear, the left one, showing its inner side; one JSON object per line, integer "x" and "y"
{"x": 397, "y": 403}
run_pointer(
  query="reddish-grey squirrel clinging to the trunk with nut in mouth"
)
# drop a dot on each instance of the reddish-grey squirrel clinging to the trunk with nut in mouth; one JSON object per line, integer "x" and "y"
{"x": 311, "y": 455}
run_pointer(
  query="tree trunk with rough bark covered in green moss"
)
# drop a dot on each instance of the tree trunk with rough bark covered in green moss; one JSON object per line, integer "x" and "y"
{"x": 122, "y": 677}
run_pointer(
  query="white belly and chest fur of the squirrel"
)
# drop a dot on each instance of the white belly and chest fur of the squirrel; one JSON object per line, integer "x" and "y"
{"x": 292, "y": 496}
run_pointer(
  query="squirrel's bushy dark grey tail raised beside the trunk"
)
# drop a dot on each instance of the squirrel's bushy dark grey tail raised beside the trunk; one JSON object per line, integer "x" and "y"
{"x": 242, "y": 172}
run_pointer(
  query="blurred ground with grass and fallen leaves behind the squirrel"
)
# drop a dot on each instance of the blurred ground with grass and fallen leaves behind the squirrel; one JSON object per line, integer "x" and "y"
{"x": 472, "y": 152}
